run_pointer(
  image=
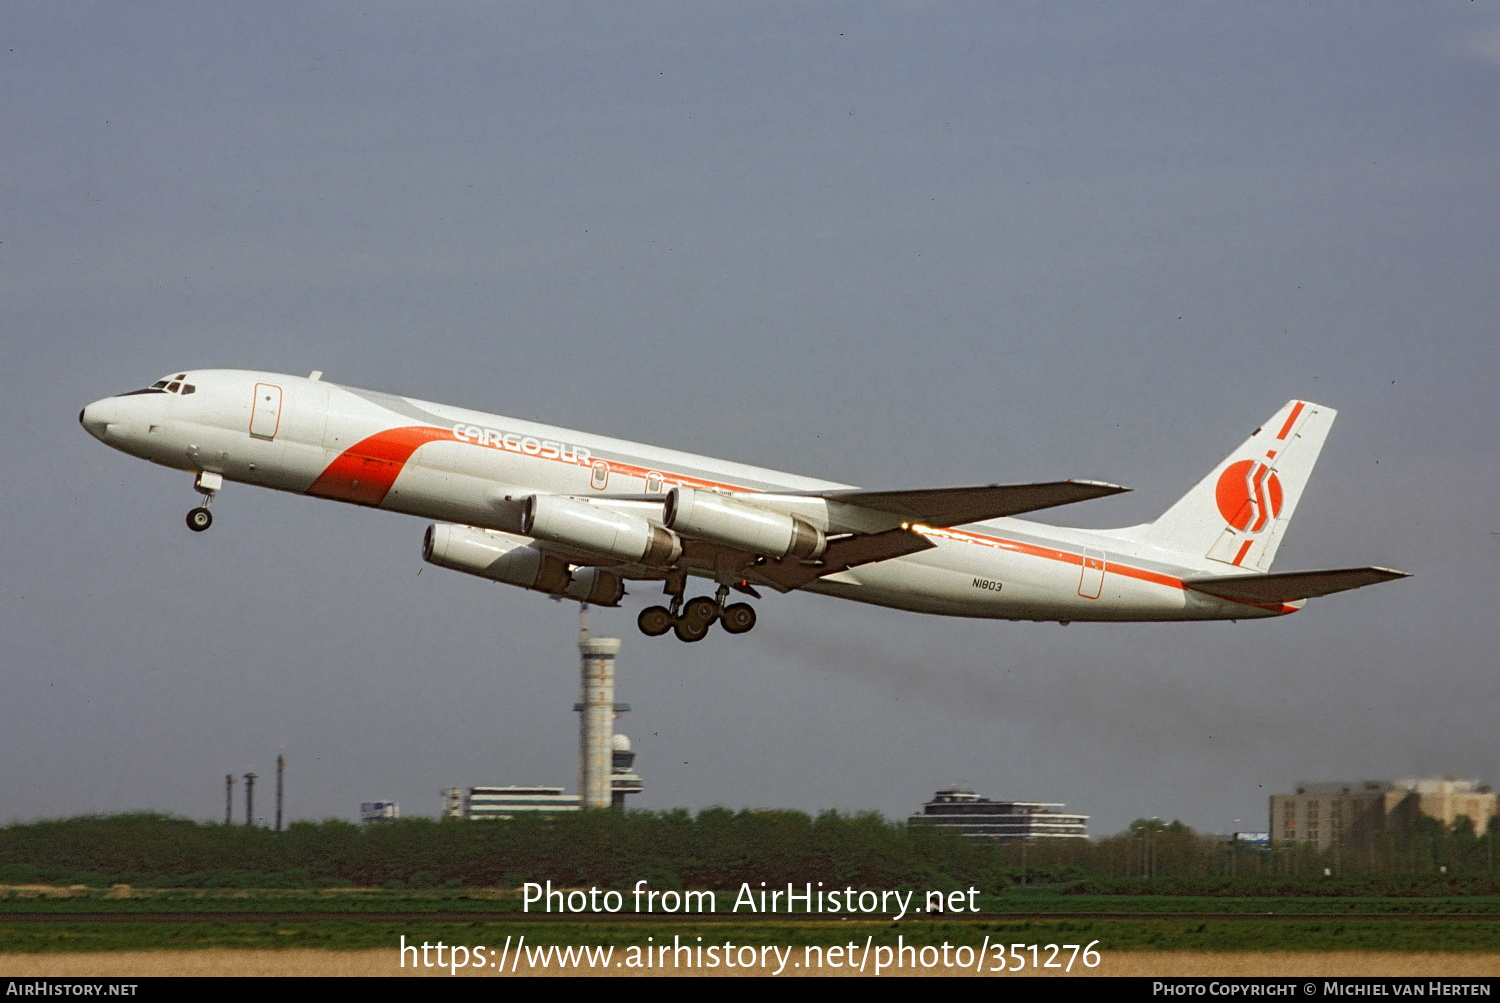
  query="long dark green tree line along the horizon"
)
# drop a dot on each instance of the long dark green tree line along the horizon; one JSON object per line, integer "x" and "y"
{"x": 721, "y": 849}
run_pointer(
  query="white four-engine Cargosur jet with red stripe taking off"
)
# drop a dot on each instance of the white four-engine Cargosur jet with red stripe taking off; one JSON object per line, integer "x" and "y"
{"x": 577, "y": 515}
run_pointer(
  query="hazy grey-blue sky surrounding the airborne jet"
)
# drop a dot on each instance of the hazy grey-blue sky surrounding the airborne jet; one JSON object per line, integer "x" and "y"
{"x": 892, "y": 245}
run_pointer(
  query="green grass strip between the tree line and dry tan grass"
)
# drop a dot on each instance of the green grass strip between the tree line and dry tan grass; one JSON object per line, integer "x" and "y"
{"x": 49, "y": 921}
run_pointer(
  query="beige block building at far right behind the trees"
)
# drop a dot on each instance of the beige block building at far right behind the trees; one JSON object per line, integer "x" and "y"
{"x": 1327, "y": 815}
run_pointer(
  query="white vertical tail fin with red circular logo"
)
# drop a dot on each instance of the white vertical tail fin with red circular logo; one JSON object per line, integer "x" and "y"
{"x": 1238, "y": 513}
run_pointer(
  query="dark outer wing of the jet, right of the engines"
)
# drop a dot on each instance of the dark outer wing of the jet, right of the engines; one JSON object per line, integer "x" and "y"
{"x": 959, "y": 506}
